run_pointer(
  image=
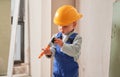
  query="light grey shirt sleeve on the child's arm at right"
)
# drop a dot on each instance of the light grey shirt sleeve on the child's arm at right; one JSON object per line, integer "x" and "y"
{"x": 73, "y": 50}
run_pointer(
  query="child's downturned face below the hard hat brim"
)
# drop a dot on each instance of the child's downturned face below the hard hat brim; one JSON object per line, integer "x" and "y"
{"x": 67, "y": 28}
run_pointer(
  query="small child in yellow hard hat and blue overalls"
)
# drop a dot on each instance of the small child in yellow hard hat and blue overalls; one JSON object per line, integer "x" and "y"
{"x": 65, "y": 45}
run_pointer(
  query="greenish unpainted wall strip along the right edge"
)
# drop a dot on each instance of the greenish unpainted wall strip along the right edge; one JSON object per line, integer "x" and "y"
{"x": 115, "y": 42}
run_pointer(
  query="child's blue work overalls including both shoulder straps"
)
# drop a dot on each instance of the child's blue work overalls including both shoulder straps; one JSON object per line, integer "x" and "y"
{"x": 64, "y": 65}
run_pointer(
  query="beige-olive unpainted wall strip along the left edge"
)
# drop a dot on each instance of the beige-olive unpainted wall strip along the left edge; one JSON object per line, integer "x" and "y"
{"x": 4, "y": 35}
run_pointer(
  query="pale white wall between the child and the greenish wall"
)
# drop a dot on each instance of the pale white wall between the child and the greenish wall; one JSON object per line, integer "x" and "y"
{"x": 96, "y": 33}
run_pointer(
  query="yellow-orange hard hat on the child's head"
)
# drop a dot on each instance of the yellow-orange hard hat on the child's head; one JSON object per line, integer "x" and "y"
{"x": 65, "y": 15}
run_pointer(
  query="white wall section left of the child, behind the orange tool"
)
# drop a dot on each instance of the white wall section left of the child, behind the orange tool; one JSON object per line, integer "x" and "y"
{"x": 40, "y": 32}
